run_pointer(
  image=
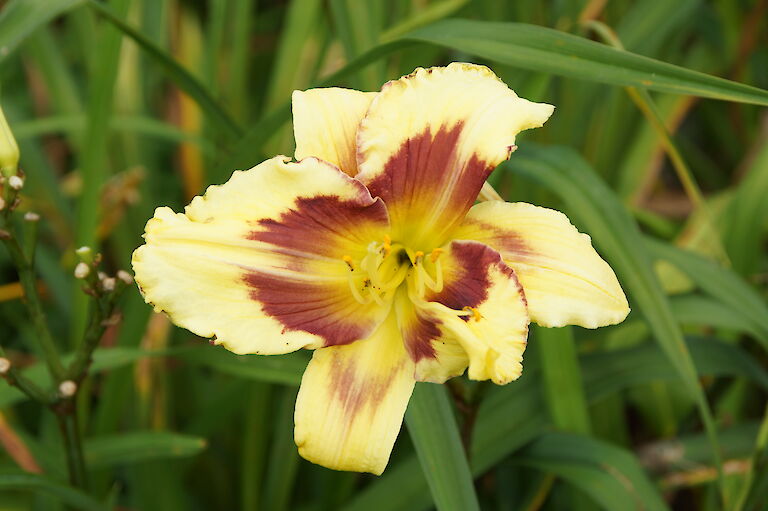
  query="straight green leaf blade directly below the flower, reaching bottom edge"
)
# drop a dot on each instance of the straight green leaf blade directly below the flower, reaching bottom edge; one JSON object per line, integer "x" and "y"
{"x": 432, "y": 428}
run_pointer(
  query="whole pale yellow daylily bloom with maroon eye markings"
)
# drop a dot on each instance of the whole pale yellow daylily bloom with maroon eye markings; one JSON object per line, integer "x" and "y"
{"x": 369, "y": 250}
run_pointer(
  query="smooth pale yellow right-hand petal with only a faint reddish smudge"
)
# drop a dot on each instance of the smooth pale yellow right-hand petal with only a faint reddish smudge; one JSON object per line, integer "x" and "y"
{"x": 565, "y": 281}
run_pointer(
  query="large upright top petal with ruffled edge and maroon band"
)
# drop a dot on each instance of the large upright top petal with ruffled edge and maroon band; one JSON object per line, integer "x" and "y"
{"x": 429, "y": 141}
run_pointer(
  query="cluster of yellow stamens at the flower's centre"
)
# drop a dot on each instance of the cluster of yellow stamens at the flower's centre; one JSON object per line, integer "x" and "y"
{"x": 386, "y": 265}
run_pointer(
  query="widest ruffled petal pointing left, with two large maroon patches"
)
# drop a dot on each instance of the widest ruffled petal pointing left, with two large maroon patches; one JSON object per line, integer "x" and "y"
{"x": 257, "y": 262}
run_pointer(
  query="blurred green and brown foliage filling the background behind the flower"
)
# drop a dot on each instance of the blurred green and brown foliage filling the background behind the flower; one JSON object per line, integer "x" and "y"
{"x": 122, "y": 106}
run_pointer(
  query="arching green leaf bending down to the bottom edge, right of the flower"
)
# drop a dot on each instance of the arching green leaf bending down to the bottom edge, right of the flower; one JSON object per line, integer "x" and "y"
{"x": 610, "y": 475}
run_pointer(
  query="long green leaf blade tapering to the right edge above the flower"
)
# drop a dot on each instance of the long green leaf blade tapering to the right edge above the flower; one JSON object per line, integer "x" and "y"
{"x": 552, "y": 51}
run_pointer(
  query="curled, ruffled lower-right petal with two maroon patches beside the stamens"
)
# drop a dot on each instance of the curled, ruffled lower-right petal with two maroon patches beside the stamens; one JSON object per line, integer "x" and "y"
{"x": 480, "y": 311}
